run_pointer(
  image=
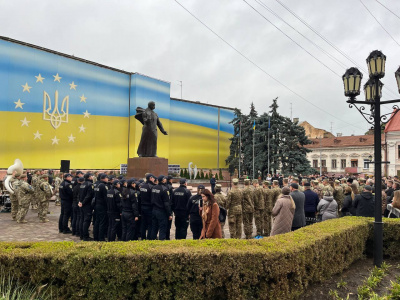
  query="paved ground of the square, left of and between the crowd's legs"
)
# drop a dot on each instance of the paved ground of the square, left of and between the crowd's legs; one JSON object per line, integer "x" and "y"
{"x": 36, "y": 231}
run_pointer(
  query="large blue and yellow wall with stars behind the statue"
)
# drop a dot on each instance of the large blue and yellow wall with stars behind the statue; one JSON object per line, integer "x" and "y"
{"x": 55, "y": 107}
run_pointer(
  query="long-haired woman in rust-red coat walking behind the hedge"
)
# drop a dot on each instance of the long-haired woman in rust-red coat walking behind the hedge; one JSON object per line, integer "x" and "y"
{"x": 210, "y": 215}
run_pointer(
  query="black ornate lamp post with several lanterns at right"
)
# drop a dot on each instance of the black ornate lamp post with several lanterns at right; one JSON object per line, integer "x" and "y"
{"x": 373, "y": 93}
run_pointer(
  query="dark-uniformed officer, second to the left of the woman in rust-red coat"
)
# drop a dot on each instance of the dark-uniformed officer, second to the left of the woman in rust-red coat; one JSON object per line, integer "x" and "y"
{"x": 180, "y": 199}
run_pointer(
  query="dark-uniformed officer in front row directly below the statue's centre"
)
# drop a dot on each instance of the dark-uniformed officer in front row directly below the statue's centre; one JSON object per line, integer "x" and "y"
{"x": 146, "y": 206}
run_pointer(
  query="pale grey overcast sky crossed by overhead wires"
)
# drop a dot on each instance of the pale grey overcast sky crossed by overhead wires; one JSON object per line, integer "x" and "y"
{"x": 162, "y": 40}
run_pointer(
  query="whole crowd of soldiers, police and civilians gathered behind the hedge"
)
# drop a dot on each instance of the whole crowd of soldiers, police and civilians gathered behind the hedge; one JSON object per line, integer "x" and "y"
{"x": 130, "y": 209}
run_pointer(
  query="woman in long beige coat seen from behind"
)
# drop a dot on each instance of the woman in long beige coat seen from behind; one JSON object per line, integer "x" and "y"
{"x": 283, "y": 213}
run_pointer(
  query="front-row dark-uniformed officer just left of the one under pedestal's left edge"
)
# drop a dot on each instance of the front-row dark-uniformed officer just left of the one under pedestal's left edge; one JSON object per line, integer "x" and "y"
{"x": 114, "y": 210}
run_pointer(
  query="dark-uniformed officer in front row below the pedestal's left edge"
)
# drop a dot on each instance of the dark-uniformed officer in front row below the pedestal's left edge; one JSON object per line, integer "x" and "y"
{"x": 130, "y": 211}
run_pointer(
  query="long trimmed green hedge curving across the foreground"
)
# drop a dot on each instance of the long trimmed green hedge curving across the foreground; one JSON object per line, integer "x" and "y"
{"x": 279, "y": 267}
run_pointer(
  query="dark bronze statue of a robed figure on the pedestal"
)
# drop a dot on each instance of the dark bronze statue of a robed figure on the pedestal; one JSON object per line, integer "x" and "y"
{"x": 150, "y": 121}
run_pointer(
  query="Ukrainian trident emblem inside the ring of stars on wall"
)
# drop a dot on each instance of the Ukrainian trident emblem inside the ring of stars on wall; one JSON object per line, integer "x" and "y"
{"x": 55, "y": 116}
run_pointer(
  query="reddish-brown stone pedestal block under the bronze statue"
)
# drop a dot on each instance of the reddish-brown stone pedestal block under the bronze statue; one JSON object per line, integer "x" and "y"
{"x": 139, "y": 166}
